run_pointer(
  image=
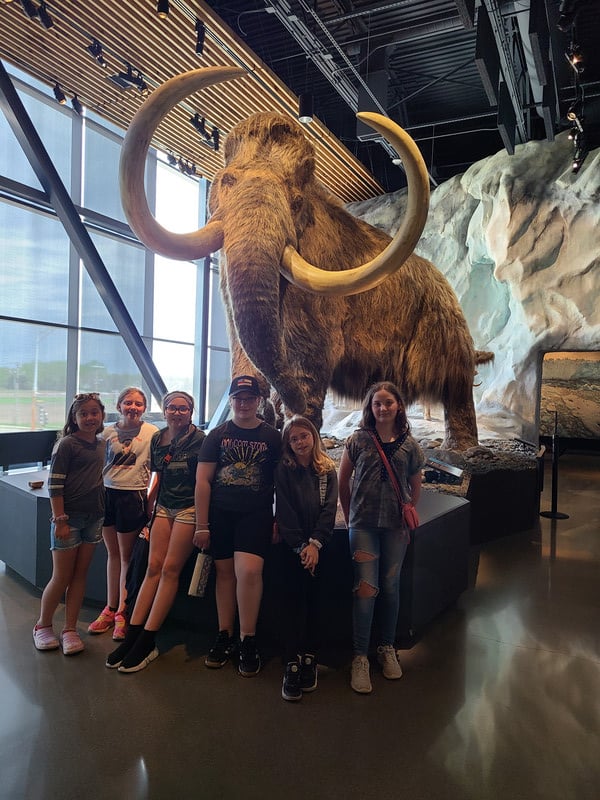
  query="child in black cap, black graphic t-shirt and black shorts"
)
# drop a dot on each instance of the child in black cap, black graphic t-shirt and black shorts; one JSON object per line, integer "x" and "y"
{"x": 234, "y": 517}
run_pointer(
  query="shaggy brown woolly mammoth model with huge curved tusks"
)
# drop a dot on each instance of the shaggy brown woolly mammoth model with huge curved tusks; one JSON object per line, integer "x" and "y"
{"x": 315, "y": 298}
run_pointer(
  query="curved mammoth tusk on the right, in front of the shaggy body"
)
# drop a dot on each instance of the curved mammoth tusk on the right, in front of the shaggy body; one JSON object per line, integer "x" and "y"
{"x": 367, "y": 276}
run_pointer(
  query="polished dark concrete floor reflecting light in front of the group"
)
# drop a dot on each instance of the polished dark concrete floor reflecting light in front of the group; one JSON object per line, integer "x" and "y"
{"x": 500, "y": 698}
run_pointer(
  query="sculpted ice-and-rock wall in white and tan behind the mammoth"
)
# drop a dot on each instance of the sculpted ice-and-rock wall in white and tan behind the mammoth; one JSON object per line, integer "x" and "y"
{"x": 518, "y": 237}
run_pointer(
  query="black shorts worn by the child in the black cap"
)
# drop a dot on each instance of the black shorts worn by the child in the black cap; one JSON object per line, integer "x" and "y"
{"x": 240, "y": 531}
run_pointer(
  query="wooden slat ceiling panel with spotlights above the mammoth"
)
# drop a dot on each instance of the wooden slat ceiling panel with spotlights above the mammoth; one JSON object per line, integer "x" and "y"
{"x": 131, "y": 33}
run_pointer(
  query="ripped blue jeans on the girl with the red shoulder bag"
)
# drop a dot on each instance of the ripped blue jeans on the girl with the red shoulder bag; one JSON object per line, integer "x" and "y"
{"x": 377, "y": 556}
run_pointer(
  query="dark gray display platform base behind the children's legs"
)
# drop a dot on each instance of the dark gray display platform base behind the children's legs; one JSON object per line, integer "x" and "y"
{"x": 434, "y": 574}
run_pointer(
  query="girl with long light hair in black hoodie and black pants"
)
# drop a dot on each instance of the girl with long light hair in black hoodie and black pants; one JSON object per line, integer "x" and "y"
{"x": 306, "y": 491}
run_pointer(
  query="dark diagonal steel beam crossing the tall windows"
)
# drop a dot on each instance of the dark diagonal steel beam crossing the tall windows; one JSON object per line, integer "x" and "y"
{"x": 38, "y": 157}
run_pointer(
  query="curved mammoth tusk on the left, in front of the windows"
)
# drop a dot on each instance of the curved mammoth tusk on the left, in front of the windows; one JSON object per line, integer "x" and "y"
{"x": 191, "y": 246}
